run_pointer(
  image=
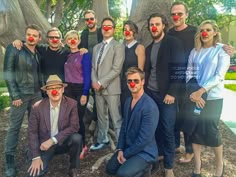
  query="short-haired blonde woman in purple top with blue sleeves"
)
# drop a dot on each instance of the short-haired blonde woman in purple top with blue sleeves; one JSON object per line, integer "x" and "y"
{"x": 77, "y": 76}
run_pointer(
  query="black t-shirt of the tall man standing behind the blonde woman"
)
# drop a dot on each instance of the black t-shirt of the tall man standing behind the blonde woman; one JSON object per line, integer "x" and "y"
{"x": 187, "y": 38}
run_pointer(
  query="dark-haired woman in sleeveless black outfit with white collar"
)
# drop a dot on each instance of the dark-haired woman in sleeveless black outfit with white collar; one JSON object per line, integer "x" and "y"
{"x": 134, "y": 56}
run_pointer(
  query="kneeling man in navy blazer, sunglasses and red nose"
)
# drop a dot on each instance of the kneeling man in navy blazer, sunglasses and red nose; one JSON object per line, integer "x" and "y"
{"x": 136, "y": 148}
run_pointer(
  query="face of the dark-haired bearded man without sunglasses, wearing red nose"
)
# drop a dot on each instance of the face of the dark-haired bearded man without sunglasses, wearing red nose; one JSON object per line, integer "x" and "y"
{"x": 156, "y": 27}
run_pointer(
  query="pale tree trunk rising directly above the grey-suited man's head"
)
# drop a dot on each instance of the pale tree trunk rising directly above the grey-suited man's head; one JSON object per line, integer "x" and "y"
{"x": 100, "y": 7}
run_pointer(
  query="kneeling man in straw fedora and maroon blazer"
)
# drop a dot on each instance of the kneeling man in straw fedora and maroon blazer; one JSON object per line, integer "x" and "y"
{"x": 53, "y": 127}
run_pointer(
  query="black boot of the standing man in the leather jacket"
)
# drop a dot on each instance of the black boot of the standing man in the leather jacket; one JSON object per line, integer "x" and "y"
{"x": 10, "y": 170}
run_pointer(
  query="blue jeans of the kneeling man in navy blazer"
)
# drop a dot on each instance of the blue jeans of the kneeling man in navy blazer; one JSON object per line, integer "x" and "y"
{"x": 133, "y": 167}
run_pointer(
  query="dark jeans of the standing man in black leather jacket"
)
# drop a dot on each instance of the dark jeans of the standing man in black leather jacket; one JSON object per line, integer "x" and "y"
{"x": 16, "y": 119}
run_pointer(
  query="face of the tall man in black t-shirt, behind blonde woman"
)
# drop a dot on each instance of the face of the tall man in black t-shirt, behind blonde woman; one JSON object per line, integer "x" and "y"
{"x": 179, "y": 15}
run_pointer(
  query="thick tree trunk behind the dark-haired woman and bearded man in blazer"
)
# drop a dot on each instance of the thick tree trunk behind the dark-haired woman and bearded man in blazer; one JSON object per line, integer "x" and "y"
{"x": 141, "y": 10}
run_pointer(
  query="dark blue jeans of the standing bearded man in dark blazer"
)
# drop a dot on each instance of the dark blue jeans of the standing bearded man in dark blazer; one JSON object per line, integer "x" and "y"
{"x": 165, "y": 135}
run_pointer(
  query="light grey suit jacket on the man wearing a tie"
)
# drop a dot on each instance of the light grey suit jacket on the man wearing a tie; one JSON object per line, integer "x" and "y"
{"x": 108, "y": 72}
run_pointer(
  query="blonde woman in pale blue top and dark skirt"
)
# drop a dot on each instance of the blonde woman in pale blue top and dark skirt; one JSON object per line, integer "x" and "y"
{"x": 208, "y": 63}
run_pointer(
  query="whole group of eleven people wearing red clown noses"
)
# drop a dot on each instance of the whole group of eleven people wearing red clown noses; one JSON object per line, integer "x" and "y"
{"x": 149, "y": 94}
